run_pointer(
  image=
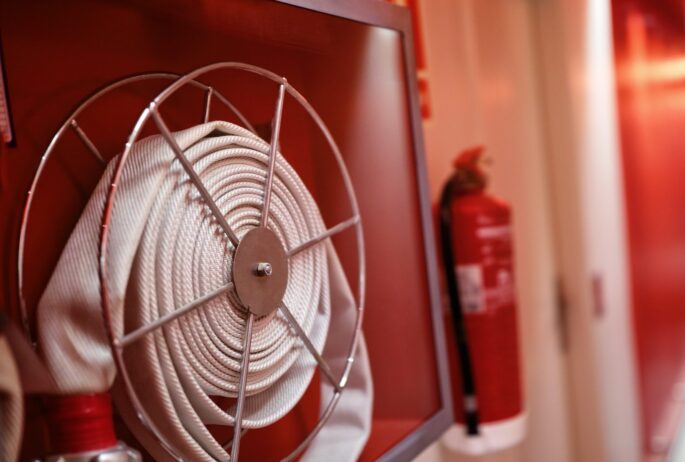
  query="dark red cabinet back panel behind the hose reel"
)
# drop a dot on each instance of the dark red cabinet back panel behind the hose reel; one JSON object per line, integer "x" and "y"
{"x": 58, "y": 52}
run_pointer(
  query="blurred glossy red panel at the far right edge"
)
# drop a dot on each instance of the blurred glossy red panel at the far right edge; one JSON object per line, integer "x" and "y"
{"x": 650, "y": 63}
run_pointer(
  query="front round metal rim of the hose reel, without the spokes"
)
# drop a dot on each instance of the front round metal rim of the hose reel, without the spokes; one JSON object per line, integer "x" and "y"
{"x": 115, "y": 342}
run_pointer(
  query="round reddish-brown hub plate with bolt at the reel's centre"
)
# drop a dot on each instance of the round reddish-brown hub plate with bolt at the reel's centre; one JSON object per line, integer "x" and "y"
{"x": 260, "y": 271}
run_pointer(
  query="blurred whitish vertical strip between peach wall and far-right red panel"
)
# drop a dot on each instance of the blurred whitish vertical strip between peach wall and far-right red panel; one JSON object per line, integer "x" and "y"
{"x": 575, "y": 45}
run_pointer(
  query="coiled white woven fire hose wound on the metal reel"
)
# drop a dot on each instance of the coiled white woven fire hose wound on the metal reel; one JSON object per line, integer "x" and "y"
{"x": 167, "y": 251}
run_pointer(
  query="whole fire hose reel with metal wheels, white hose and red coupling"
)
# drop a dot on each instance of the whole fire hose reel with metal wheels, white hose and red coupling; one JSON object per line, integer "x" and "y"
{"x": 219, "y": 286}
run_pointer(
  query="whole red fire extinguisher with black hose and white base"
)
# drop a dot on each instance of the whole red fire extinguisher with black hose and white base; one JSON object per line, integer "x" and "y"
{"x": 476, "y": 238}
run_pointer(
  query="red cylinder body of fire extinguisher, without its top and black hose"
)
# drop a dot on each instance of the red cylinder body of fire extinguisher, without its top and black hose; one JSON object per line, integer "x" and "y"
{"x": 481, "y": 235}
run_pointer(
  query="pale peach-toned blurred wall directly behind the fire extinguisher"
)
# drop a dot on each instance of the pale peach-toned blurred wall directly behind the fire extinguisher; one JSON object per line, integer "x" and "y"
{"x": 485, "y": 89}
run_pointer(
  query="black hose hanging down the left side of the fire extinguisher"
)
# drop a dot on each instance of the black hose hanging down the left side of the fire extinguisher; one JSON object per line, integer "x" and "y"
{"x": 470, "y": 402}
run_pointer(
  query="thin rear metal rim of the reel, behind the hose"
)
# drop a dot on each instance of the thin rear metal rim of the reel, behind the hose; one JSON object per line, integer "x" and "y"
{"x": 69, "y": 121}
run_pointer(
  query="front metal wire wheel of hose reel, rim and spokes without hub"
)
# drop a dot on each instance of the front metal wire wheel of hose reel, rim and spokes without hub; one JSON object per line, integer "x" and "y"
{"x": 120, "y": 341}
